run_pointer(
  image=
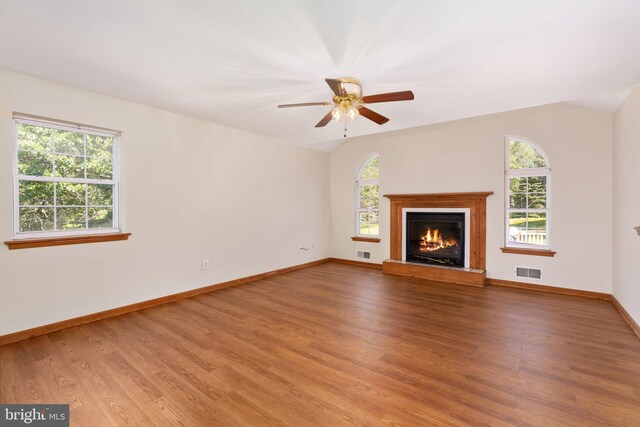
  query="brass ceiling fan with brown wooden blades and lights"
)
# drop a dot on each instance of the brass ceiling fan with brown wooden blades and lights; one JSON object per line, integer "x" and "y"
{"x": 348, "y": 102}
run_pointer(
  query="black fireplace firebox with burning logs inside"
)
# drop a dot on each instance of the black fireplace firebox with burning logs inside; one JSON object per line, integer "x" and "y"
{"x": 436, "y": 238}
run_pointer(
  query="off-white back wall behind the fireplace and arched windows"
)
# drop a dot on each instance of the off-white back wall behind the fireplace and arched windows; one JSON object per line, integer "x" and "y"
{"x": 468, "y": 155}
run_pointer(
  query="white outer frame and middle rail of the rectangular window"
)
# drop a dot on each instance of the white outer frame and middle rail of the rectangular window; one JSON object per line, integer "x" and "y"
{"x": 115, "y": 180}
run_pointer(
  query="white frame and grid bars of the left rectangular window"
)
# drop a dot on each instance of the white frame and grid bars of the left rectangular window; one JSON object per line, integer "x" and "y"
{"x": 114, "y": 182}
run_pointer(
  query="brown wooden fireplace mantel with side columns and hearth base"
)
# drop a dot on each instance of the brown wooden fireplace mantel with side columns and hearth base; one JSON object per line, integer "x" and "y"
{"x": 477, "y": 205}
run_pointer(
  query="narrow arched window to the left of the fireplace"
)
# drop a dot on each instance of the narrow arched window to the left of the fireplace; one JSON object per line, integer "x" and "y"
{"x": 367, "y": 197}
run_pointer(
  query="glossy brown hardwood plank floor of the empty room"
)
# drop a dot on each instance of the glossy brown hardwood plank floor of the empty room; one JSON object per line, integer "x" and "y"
{"x": 340, "y": 345}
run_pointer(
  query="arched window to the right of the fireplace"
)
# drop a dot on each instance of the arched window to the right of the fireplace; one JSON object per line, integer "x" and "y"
{"x": 528, "y": 184}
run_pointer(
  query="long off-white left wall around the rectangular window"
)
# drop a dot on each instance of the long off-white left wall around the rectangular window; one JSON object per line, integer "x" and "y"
{"x": 190, "y": 190}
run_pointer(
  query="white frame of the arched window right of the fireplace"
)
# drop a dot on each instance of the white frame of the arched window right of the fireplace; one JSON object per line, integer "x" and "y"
{"x": 520, "y": 173}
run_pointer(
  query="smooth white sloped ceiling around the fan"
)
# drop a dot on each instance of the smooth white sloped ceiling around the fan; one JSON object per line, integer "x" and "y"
{"x": 232, "y": 62}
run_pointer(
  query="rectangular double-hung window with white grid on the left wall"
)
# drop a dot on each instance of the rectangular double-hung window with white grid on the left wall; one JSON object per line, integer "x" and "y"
{"x": 66, "y": 179}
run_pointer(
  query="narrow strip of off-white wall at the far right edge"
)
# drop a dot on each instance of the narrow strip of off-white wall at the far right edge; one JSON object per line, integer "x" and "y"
{"x": 626, "y": 204}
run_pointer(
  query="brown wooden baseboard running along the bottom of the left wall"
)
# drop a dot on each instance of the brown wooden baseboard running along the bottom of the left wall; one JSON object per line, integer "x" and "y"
{"x": 76, "y": 321}
